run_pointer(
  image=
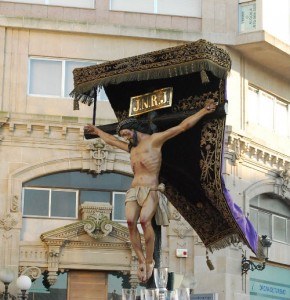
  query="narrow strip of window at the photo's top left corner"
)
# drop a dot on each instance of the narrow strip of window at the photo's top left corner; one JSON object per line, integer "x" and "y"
{"x": 71, "y": 3}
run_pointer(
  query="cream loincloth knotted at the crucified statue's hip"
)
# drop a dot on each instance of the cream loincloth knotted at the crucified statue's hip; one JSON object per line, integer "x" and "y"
{"x": 140, "y": 194}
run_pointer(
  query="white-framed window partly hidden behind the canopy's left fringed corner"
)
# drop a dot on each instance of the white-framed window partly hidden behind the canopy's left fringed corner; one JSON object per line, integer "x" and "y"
{"x": 54, "y": 78}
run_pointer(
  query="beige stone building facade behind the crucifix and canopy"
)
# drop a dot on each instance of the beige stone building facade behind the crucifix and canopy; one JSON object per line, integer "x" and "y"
{"x": 62, "y": 197}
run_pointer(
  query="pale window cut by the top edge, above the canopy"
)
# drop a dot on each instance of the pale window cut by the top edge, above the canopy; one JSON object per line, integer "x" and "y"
{"x": 185, "y": 8}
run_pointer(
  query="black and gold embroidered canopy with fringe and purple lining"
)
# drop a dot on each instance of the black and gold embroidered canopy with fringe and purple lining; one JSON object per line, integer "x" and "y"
{"x": 192, "y": 161}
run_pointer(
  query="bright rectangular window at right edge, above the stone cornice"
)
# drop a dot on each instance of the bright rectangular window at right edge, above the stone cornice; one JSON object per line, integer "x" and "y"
{"x": 268, "y": 111}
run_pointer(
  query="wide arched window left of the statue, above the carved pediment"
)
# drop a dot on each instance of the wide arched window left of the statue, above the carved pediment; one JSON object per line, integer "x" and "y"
{"x": 59, "y": 195}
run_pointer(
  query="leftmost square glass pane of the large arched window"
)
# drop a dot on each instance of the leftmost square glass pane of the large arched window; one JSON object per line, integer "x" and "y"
{"x": 36, "y": 202}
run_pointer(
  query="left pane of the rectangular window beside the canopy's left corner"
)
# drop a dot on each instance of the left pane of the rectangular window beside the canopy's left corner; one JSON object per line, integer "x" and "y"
{"x": 45, "y": 77}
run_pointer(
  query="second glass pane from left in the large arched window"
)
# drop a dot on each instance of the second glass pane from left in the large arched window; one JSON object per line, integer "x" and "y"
{"x": 63, "y": 204}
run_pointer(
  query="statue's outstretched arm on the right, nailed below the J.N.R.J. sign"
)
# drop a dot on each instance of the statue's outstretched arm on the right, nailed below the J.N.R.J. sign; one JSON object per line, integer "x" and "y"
{"x": 186, "y": 124}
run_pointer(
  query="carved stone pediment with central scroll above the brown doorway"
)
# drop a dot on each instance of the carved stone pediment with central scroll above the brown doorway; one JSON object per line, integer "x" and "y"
{"x": 98, "y": 232}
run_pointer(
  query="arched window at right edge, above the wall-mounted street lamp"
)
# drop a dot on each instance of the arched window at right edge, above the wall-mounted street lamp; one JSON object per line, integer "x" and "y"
{"x": 270, "y": 215}
